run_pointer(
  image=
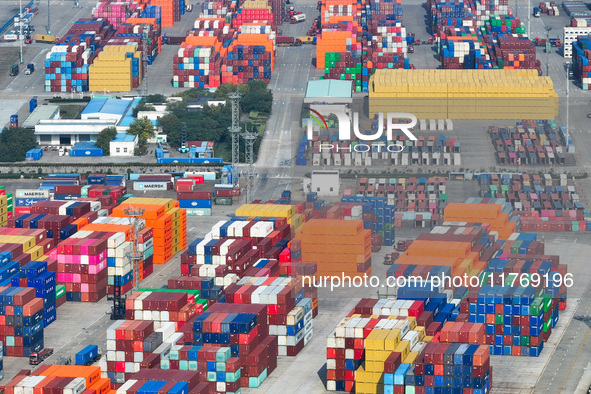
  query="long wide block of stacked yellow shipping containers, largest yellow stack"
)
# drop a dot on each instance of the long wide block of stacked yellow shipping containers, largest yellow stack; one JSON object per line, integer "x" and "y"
{"x": 488, "y": 94}
